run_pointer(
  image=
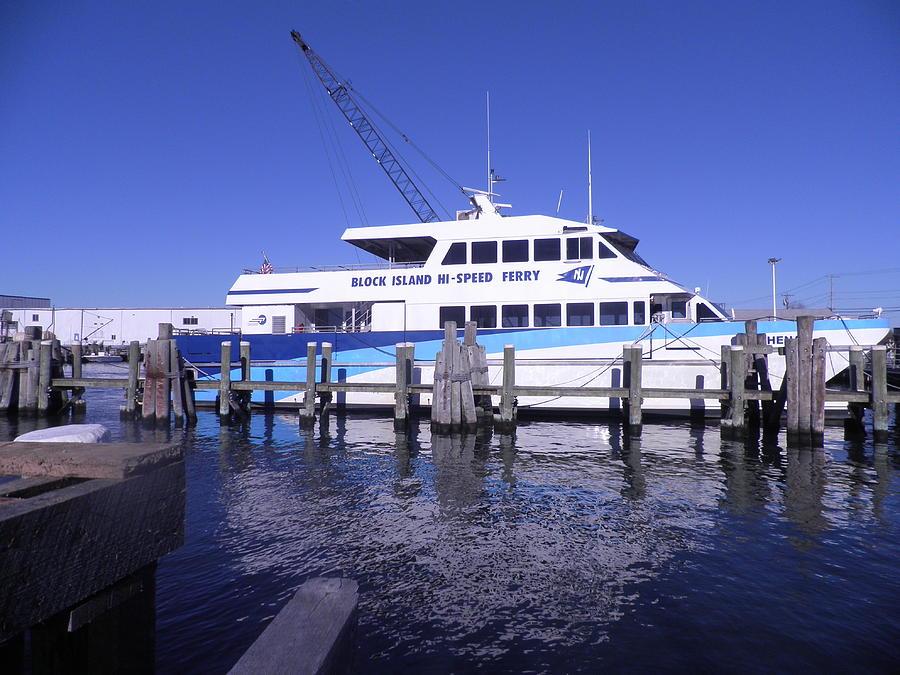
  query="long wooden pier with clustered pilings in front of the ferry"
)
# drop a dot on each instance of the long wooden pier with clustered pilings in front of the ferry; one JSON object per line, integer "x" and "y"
{"x": 461, "y": 394}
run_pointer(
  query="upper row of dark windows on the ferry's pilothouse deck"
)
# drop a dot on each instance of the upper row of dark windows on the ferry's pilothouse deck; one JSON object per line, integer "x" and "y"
{"x": 525, "y": 250}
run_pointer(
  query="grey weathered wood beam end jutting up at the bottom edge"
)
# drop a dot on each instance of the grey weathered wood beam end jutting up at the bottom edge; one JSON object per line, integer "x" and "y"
{"x": 311, "y": 635}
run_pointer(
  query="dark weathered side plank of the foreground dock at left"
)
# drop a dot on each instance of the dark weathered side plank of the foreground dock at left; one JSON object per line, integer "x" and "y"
{"x": 62, "y": 546}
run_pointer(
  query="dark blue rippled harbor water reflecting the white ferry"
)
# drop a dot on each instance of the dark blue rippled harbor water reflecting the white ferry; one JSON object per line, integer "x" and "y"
{"x": 564, "y": 549}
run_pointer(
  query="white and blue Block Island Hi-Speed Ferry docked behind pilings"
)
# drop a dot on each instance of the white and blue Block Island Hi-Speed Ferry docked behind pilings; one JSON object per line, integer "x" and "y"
{"x": 568, "y": 295}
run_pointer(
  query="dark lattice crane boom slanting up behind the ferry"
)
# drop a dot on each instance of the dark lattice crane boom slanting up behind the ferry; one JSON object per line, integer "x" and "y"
{"x": 340, "y": 93}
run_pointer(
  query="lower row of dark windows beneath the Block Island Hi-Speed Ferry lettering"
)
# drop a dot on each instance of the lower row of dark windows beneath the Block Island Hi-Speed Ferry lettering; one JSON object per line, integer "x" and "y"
{"x": 541, "y": 315}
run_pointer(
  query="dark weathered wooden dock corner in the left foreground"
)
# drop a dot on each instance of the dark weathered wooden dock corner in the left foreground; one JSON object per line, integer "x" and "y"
{"x": 80, "y": 533}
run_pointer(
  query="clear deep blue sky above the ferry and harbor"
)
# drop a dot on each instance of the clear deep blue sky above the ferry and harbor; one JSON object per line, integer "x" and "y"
{"x": 150, "y": 150}
